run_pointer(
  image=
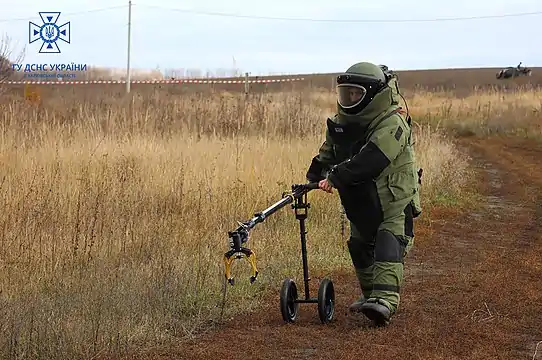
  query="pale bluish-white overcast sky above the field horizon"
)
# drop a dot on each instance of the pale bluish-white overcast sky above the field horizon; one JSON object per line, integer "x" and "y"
{"x": 165, "y": 38}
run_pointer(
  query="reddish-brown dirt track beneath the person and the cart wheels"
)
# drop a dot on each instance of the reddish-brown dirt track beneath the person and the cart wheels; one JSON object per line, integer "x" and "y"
{"x": 472, "y": 288}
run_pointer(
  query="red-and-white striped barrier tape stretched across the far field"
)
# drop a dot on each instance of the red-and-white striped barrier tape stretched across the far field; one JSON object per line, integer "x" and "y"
{"x": 180, "y": 81}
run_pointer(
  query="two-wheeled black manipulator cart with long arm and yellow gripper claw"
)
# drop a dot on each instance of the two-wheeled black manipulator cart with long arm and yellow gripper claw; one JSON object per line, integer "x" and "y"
{"x": 289, "y": 299}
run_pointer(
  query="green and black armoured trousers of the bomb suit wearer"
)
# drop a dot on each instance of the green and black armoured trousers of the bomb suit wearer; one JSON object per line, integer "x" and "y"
{"x": 381, "y": 235}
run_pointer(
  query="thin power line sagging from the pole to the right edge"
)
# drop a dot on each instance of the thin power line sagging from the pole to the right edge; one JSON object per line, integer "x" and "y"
{"x": 232, "y": 15}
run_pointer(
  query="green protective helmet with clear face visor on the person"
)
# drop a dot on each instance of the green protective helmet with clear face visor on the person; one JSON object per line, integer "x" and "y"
{"x": 358, "y": 86}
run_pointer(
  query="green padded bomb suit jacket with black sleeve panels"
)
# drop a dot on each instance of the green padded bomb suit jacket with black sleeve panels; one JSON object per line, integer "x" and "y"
{"x": 373, "y": 146}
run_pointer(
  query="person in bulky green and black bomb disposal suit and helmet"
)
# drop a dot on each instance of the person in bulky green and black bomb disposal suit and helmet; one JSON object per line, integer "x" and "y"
{"x": 368, "y": 157}
